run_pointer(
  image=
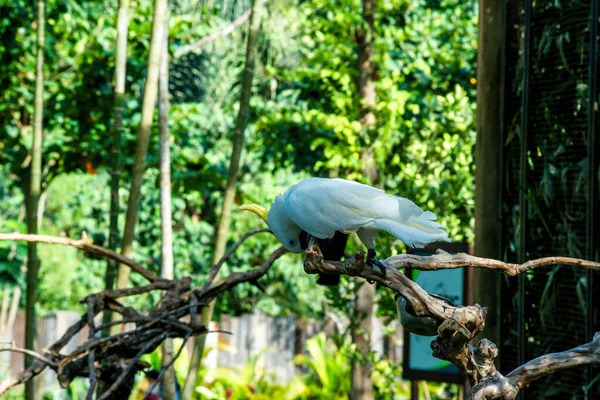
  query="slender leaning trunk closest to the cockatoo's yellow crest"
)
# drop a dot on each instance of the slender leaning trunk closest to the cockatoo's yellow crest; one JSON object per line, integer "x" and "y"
{"x": 234, "y": 167}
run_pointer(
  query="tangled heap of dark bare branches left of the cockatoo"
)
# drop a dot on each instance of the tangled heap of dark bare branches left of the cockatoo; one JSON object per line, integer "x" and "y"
{"x": 114, "y": 359}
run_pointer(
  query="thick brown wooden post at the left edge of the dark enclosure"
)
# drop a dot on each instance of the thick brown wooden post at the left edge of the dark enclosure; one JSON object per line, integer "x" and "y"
{"x": 490, "y": 73}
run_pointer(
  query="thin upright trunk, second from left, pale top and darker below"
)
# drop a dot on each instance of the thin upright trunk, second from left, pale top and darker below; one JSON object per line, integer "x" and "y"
{"x": 115, "y": 173}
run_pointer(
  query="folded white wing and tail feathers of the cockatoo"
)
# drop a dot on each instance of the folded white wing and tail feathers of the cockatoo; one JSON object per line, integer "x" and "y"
{"x": 322, "y": 206}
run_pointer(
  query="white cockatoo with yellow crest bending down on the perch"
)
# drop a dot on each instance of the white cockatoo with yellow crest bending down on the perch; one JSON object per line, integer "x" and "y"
{"x": 323, "y": 208}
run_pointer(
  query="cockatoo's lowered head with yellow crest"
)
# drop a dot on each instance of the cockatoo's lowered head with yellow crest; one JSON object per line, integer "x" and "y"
{"x": 284, "y": 229}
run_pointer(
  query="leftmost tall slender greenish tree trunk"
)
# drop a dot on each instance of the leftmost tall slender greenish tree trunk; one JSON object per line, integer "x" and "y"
{"x": 34, "y": 193}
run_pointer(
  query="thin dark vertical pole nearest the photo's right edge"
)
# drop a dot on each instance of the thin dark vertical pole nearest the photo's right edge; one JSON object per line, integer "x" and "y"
{"x": 592, "y": 176}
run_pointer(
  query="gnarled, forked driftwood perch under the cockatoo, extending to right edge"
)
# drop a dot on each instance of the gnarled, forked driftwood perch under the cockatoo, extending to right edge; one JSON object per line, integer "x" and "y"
{"x": 461, "y": 324}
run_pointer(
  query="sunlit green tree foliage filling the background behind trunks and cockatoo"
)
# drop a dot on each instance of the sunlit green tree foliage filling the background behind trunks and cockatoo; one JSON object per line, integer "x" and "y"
{"x": 303, "y": 122}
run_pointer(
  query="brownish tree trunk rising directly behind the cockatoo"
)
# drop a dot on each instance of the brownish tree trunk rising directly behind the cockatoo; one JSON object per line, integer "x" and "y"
{"x": 362, "y": 384}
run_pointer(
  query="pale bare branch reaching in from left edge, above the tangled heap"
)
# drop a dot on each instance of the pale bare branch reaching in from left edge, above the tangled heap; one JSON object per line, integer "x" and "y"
{"x": 85, "y": 245}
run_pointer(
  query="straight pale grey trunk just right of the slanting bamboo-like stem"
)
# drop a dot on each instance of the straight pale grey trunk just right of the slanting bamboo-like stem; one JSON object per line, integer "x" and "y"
{"x": 166, "y": 225}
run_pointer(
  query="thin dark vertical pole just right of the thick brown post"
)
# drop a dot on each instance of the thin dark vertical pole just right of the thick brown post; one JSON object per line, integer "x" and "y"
{"x": 523, "y": 176}
